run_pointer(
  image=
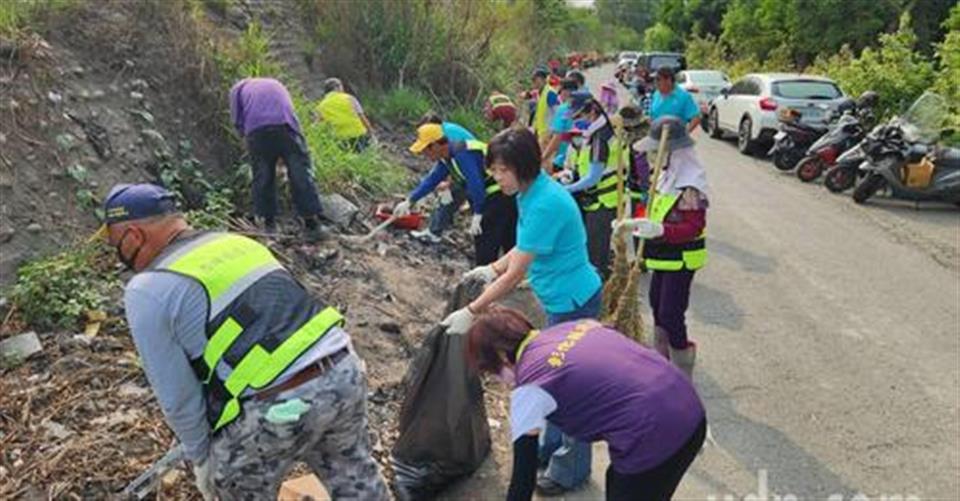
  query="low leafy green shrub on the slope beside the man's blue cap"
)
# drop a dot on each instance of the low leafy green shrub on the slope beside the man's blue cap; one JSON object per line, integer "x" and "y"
{"x": 58, "y": 291}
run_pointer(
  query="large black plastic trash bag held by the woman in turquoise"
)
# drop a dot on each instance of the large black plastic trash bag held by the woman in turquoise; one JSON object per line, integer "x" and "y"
{"x": 444, "y": 433}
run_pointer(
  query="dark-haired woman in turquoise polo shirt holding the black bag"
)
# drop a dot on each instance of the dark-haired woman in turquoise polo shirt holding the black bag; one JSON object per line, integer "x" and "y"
{"x": 551, "y": 251}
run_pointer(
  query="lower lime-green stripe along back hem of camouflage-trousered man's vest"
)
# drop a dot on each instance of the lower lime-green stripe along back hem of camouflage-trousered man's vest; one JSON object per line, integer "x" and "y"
{"x": 258, "y": 368}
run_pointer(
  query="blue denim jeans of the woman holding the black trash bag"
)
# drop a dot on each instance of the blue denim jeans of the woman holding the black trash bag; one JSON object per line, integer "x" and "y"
{"x": 567, "y": 459}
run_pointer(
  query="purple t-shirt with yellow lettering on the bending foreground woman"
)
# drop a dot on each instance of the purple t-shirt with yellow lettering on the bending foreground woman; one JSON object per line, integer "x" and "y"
{"x": 608, "y": 387}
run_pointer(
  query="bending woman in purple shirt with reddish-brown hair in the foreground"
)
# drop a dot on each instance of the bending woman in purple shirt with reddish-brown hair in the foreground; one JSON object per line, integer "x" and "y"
{"x": 594, "y": 384}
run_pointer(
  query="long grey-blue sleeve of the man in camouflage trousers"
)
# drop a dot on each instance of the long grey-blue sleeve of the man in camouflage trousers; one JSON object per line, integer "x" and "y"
{"x": 168, "y": 370}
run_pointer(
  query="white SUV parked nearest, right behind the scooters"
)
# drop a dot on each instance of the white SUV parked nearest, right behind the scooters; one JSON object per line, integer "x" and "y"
{"x": 749, "y": 107}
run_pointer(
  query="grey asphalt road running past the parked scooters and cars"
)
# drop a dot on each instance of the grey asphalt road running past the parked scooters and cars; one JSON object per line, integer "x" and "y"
{"x": 828, "y": 333}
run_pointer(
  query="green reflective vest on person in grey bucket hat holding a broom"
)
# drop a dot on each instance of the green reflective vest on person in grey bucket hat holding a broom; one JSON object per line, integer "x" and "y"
{"x": 662, "y": 256}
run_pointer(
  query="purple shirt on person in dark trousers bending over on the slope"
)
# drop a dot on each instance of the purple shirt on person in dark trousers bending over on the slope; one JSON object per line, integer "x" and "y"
{"x": 261, "y": 102}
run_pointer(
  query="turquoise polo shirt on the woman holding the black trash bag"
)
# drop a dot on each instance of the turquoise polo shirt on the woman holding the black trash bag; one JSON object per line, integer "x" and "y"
{"x": 550, "y": 228}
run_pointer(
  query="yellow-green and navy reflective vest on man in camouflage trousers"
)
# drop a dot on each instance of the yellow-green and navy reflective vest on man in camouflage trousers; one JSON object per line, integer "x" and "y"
{"x": 259, "y": 319}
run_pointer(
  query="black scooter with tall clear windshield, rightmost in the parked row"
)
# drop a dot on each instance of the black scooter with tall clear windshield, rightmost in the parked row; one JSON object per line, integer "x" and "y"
{"x": 902, "y": 156}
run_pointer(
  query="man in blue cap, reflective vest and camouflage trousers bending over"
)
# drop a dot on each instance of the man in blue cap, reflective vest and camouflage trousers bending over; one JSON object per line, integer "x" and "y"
{"x": 252, "y": 374}
